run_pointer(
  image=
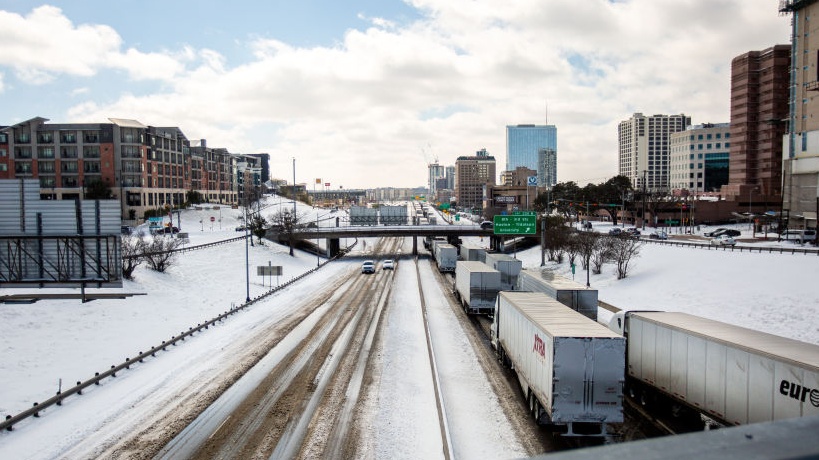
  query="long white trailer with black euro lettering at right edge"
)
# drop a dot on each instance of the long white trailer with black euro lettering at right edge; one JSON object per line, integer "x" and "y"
{"x": 727, "y": 373}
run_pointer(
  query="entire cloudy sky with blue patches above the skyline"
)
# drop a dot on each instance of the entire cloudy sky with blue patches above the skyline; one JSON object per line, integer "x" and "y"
{"x": 366, "y": 93}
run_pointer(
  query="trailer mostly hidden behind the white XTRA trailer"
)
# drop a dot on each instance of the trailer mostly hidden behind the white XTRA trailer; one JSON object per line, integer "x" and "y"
{"x": 568, "y": 292}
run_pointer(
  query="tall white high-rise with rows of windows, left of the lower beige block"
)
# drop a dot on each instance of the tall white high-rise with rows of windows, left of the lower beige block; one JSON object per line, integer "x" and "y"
{"x": 644, "y": 149}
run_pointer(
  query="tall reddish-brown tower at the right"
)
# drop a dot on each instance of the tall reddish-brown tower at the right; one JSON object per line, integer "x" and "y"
{"x": 759, "y": 106}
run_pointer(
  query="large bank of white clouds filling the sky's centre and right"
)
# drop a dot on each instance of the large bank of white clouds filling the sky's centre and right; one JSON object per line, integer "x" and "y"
{"x": 357, "y": 113}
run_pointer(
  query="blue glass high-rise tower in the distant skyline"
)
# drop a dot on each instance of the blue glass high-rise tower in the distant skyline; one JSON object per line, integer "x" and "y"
{"x": 524, "y": 144}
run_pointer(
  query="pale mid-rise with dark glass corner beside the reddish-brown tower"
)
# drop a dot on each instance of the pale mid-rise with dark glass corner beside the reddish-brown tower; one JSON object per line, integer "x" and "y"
{"x": 699, "y": 157}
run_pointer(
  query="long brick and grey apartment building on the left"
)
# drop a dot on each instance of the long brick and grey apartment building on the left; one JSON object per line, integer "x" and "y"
{"x": 145, "y": 167}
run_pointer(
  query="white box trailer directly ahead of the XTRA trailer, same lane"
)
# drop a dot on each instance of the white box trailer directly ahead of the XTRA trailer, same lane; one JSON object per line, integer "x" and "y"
{"x": 476, "y": 286}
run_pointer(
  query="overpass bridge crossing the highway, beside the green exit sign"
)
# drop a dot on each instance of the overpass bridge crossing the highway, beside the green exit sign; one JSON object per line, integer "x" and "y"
{"x": 333, "y": 234}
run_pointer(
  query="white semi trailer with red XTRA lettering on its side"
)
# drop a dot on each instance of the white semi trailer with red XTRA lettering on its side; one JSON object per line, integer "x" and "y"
{"x": 571, "y": 369}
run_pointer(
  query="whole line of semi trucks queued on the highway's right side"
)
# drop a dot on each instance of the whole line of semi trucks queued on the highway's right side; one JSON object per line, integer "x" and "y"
{"x": 575, "y": 371}
